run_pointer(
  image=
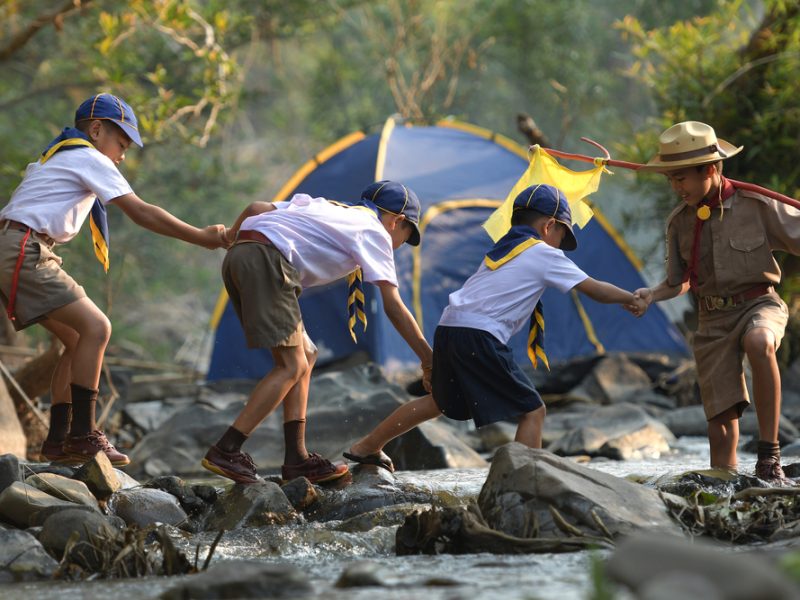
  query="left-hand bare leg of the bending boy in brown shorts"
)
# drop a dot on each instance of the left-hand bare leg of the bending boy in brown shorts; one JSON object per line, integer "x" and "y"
{"x": 290, "y": 367}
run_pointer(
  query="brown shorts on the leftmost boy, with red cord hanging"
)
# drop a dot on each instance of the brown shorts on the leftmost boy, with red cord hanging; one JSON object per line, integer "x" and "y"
{"x": 43, "y": 285}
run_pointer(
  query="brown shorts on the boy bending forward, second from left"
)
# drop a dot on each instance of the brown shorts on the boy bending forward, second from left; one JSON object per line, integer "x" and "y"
{"x": 264, "y": 289}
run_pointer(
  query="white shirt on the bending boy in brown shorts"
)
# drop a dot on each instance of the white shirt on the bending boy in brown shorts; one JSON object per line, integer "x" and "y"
{"x": 326, "y": 242}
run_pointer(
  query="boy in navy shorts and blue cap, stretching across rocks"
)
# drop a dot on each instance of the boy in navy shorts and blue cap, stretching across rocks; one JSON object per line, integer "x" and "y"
{"x": 475, "y": 375}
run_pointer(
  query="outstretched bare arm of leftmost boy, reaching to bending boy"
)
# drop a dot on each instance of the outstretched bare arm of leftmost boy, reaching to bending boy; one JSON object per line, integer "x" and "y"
{"x": 158, "y": 220}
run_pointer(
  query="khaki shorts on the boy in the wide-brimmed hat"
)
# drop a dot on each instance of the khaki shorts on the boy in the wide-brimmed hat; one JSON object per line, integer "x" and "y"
{"x": 719, "y": 353}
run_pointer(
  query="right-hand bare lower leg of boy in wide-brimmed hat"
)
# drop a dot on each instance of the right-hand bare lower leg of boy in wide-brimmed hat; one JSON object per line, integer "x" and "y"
{"x": 759, "y": 345}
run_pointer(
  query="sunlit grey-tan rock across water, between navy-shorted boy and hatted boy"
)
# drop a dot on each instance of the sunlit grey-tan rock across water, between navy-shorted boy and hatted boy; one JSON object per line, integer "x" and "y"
{"x": 622, "y": 431}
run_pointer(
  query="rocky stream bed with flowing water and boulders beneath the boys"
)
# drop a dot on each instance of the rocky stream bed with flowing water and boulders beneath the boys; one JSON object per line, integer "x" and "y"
{"x": 610, "y": 505}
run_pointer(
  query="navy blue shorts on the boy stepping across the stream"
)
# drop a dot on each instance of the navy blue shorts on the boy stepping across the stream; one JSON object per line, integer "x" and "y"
{"x": 475, "y": 377}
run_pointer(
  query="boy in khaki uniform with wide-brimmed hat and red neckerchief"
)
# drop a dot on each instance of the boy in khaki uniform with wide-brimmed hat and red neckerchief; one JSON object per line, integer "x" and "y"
{"x": 720, "y": 241}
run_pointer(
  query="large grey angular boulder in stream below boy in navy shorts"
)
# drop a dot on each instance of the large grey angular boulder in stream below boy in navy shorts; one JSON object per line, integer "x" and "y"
{"x": 524, "y": 483}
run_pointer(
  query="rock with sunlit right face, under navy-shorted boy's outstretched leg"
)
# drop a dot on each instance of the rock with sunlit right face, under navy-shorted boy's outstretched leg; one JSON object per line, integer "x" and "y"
{"x": 432, "y": 445}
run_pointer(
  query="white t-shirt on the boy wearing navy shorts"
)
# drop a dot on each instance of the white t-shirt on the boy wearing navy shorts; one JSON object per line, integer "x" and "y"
{"x": 501, "y": 301}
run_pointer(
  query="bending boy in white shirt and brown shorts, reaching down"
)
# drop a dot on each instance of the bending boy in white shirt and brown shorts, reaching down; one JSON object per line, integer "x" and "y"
{"x": 282, "y": 248}
